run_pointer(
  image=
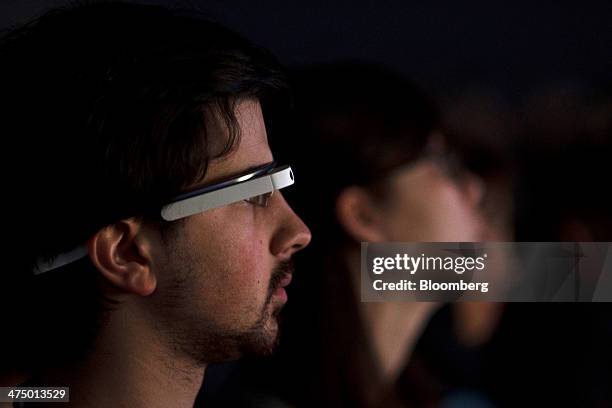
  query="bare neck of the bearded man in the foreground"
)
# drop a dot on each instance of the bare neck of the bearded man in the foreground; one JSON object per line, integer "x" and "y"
{"x": 129, "y": 367}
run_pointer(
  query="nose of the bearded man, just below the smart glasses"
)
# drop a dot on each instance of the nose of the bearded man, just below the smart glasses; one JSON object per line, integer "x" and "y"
{"x": 292, "y": 234}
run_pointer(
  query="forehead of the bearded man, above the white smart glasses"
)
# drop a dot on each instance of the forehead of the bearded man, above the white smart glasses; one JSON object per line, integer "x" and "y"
{"x": 252, "y": 148}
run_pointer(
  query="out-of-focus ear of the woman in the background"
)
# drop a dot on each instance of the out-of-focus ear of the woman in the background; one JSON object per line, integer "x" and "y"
{"x": 358, "y": 215}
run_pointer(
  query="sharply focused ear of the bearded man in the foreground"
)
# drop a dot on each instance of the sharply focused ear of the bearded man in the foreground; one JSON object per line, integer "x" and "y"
{"x": 122, "y": 252}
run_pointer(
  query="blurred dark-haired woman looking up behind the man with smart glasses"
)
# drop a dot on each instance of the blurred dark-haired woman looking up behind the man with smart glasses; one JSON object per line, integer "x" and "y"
{"x": 374, "y": 166}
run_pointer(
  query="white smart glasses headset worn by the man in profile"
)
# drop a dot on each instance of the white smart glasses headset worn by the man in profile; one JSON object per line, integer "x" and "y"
{"x": 255, "y": 186}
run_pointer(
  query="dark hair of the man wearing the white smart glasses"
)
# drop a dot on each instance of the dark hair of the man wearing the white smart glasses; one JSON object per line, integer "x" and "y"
{"x": 104, "y": 116}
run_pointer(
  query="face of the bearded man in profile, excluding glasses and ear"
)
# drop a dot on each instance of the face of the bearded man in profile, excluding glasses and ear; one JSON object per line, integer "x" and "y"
{"x": 221, "y": 272}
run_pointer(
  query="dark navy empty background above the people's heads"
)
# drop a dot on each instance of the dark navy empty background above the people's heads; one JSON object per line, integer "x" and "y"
{"x": 512, "y": 48}
